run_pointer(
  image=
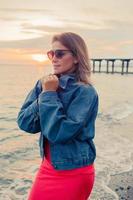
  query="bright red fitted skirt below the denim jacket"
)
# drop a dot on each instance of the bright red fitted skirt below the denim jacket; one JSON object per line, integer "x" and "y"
{"x": 52, "y": 184}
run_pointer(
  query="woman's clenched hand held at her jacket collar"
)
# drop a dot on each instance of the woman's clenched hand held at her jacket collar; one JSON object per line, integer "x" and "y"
{"x": 49, "y": 82}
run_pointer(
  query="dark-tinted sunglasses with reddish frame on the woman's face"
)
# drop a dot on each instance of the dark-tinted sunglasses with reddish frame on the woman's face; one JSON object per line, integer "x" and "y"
{"x": 59, "y": 53}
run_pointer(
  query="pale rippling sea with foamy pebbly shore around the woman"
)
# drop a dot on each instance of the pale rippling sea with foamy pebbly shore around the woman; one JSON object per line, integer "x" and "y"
{"x": 19, "y": 151}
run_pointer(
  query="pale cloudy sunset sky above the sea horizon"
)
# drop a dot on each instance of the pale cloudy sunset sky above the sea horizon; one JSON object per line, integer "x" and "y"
{"x": 27, "y": 28}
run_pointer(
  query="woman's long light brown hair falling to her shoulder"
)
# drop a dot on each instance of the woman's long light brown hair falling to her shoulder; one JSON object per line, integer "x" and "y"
{"x": 77, "y": 45}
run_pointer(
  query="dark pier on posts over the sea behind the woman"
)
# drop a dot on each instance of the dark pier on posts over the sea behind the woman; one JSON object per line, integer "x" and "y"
{"x": 110, "y": 63}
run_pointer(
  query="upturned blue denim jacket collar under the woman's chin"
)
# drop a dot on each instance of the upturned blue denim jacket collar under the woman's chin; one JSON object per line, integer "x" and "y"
{"x": 63, "y": 79}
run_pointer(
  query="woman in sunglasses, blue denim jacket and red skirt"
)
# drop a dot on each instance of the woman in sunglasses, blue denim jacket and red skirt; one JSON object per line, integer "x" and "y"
{"x": 63, "y": 106}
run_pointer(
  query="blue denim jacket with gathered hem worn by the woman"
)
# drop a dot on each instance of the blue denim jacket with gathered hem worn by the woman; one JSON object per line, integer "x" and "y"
{"x": 66, "y": 117}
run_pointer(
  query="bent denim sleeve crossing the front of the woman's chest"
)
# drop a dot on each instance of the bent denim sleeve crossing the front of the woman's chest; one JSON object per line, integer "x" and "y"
{"x": 59, "y": 126}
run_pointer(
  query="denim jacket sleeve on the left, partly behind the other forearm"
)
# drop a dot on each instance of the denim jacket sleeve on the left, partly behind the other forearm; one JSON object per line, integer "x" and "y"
{"x": 28, "y": 116}
